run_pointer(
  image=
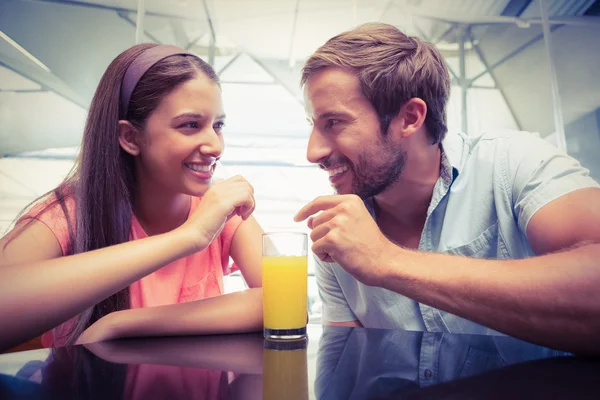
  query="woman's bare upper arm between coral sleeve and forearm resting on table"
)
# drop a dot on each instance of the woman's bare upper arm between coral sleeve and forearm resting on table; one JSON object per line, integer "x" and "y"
{"x": 246, "y": 251}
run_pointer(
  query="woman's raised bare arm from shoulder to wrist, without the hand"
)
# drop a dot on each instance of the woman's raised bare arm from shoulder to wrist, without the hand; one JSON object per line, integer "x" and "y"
{"x": 38, "y": 295}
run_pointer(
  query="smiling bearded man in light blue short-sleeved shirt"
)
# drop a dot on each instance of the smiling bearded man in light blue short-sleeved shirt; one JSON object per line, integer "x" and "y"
{"x": 496, "y": 233}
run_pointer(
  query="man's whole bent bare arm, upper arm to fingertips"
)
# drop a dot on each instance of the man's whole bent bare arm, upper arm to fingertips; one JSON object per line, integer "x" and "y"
{"x": 552, "y": 299}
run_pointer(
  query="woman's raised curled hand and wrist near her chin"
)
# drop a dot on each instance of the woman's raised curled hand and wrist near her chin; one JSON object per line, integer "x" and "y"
{"x": 234, "y": 196}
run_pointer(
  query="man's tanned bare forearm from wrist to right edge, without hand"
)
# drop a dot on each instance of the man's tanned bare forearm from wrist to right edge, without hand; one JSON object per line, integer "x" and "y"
{"x": 552, "y": 300}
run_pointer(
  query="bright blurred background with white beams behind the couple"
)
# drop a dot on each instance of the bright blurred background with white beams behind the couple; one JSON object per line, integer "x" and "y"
{"x": 519, "y": 64}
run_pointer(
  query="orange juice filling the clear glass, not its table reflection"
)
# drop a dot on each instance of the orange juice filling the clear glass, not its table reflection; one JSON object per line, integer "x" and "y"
{"x": 285, "y": 288}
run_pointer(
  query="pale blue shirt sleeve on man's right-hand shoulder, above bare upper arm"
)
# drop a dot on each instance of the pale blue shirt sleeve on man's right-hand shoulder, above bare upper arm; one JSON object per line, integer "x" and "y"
{"x": 541, "y": 173}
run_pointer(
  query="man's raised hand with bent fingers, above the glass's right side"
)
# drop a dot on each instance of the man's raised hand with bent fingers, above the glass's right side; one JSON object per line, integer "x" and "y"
{"x": 345, "y": 233}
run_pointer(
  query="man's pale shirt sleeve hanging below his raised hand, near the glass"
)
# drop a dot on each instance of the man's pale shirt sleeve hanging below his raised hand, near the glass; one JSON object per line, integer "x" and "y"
{"x": 335, "y": 306}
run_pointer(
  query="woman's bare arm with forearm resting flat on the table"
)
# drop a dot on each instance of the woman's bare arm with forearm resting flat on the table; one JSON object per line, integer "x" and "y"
{"x": 230, "y": 313}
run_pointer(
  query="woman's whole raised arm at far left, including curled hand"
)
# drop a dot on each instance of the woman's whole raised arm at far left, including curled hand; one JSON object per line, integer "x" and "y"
{"x": 37, "y": 295}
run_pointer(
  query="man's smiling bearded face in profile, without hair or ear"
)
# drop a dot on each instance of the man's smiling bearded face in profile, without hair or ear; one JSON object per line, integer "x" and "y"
{"x": 346, "y": 140}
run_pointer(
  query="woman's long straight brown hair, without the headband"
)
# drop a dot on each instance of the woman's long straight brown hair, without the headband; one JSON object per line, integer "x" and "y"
{"x": 102, "y": 182}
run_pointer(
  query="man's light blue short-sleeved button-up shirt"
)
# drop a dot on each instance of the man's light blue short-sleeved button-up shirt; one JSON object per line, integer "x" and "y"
{"x": 489, "y": 188}
